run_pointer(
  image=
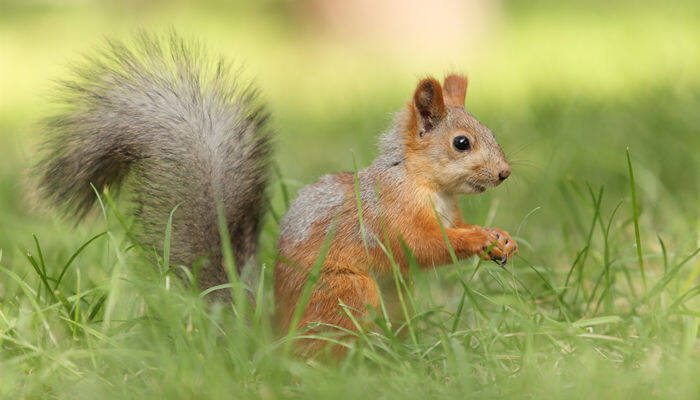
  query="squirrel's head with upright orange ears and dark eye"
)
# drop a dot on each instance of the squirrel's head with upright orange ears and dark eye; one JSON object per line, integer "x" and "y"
{"x": 446, "y": 147}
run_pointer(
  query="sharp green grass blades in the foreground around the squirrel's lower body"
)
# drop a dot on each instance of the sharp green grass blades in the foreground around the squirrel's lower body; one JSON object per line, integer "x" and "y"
{"x": 523, "y": 331}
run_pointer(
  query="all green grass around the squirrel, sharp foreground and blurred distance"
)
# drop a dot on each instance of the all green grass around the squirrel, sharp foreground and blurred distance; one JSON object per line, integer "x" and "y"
{"x": 602, "y": 302}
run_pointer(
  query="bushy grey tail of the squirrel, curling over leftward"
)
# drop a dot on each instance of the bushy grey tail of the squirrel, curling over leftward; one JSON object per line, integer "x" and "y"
{"x": 180, "y": 130}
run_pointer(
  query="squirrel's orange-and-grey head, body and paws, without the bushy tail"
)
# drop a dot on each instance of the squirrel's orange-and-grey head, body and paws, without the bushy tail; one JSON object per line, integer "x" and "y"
{"x": 434, "y": 151}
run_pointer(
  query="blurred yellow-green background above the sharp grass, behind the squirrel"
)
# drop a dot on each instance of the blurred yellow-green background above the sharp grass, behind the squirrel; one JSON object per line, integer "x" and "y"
{"x": 566, "y": 87}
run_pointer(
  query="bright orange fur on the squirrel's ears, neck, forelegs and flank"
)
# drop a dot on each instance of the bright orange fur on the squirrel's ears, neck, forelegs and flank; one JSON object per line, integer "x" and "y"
{"x": 346, "y": 271}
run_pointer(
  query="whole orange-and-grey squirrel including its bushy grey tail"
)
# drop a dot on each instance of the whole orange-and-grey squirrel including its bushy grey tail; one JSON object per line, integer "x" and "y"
{"x": 182, "y": 132}
